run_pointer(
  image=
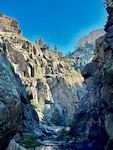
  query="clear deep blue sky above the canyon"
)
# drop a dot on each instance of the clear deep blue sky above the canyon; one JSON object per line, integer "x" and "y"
{"x": 60, "y": 22}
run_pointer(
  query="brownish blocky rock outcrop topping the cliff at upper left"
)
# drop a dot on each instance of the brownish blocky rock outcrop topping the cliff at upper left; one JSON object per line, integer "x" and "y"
{"x": 8, "y": 24}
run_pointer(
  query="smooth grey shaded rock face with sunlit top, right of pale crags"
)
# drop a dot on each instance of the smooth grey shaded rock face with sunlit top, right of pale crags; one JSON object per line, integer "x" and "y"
{"x": 67, "y": 93}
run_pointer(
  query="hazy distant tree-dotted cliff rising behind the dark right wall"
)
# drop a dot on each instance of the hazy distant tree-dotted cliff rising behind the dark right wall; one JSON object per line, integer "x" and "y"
{"x": 85, "y": 48}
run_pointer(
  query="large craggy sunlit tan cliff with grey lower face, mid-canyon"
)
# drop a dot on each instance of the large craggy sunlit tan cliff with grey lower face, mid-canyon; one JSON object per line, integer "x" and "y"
{"x": 50, "y": 80}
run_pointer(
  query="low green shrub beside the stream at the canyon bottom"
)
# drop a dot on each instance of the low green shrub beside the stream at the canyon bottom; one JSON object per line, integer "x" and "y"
{"x": 29, "y": 141}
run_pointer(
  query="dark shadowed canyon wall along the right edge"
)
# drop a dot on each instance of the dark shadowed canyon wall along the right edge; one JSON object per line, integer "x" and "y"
{"x": 97, "y": 120}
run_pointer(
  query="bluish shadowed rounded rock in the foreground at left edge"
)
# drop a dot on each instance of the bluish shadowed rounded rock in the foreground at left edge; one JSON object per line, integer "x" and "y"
{"x": 10, "y": 102}
